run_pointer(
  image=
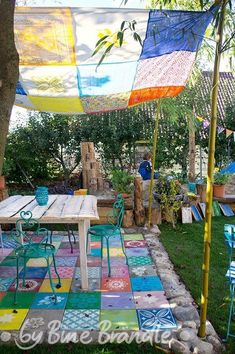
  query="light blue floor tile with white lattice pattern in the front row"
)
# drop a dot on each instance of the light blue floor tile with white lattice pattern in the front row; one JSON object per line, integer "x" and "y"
{"x": 80, "y": 319}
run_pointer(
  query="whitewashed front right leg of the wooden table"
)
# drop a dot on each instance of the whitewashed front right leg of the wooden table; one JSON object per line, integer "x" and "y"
{"x": 82, "y": 230}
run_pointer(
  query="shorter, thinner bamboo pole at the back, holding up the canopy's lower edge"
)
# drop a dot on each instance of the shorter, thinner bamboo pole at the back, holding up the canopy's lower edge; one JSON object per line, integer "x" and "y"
{"x": 155, "y": 139}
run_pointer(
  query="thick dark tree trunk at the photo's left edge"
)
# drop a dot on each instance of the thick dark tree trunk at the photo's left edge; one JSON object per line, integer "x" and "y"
{"x": 9, "y": 71}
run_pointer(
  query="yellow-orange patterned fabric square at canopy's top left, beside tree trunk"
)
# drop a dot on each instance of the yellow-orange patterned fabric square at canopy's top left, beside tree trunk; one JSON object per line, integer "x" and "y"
{"x": 44, "y": 36}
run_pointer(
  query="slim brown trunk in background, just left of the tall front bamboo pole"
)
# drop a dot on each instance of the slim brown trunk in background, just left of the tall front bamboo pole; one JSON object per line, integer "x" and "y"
{"x": 192, "y": 151}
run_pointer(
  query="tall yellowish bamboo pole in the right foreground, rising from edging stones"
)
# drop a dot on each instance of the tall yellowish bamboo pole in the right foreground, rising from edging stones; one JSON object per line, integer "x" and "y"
{"x": 210, "y": 172}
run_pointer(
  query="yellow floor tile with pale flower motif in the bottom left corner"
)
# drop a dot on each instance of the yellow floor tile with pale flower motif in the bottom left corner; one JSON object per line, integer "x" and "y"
{"x": 10, "y": 320}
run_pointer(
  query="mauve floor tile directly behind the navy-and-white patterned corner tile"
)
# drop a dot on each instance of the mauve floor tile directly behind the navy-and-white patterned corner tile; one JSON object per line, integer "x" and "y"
{"x": 150, "y": 299}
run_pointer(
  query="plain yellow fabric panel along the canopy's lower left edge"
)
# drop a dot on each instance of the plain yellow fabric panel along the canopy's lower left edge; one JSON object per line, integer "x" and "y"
{"x": 59, "y": 105}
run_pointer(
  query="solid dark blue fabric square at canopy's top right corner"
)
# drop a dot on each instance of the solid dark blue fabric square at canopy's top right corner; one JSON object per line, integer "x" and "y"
{"x": 170, "y": 31}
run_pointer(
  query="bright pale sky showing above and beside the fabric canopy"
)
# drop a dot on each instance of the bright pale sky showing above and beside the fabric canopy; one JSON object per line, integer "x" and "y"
{"x": 80, "y": 3}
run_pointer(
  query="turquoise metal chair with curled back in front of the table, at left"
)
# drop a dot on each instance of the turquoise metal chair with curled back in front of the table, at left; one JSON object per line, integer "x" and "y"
{"x": 33, "y": 243}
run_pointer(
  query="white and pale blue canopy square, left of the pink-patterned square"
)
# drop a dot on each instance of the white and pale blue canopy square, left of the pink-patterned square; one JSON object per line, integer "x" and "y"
{"x": 107, "y": 79}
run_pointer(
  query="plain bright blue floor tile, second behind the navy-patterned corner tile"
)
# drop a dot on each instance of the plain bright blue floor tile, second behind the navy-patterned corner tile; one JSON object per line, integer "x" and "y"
{"x": 149, "y": 283}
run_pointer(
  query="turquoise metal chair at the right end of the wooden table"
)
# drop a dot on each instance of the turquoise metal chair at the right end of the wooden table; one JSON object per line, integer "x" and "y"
{"x": 113, "y": 228}
